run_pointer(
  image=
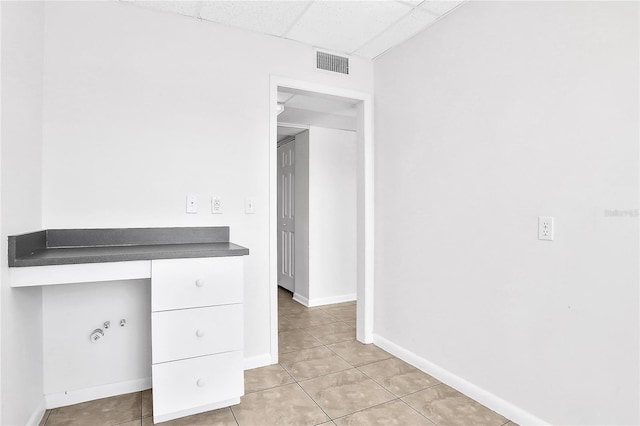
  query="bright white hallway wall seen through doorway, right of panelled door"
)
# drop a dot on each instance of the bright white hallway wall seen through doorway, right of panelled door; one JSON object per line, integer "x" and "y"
{"x": 332, "y": 215}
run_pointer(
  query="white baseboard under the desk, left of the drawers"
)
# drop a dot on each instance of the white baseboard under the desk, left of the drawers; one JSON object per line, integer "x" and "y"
{"x": 55, "y": 400}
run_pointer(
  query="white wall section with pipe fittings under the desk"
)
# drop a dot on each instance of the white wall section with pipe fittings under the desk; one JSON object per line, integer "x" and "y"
{"x": 117, "y": 359}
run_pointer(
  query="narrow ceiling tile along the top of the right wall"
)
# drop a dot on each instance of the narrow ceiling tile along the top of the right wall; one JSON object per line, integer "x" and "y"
{"x": 407, "y": 27}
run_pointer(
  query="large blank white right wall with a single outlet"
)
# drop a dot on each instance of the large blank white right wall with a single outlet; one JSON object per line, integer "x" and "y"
{"x": 499, "y": 113}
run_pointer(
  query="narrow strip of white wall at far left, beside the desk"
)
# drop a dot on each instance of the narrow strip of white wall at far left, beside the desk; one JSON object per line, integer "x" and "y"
{"x": 21, "y": 196}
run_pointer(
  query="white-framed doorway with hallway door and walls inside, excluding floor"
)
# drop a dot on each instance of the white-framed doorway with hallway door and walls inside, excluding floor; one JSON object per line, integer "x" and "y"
{"x": 343, "y": 117}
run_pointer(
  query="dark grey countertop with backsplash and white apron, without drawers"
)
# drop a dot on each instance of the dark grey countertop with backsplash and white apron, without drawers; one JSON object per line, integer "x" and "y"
{"x": 64, "y": 256}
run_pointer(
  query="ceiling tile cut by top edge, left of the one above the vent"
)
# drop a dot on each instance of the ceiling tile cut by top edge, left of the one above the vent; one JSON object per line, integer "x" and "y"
{"x": 271, "y": 17}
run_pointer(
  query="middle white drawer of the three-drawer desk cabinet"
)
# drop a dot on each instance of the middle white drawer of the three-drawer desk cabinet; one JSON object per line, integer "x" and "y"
{"x": 188, "y": 333}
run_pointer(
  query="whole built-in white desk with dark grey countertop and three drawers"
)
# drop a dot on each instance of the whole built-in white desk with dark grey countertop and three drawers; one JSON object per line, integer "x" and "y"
{"x": 197, "y": 300}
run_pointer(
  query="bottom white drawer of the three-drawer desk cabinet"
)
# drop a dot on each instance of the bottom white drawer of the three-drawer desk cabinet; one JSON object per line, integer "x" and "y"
{"x": 197, "y": 382}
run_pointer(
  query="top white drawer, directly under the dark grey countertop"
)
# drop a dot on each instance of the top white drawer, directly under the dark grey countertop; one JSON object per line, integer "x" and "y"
{"x": 190, "y": 283}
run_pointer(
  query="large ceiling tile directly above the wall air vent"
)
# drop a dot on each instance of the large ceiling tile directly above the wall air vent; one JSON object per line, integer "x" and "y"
{"x": 344, "y": 26}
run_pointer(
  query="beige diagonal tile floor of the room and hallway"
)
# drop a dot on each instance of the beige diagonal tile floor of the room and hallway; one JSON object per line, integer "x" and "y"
{"x": 325, "y": 377}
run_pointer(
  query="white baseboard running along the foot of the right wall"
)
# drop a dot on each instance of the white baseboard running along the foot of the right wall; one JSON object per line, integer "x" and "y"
{"x": 484, "y": 397}
